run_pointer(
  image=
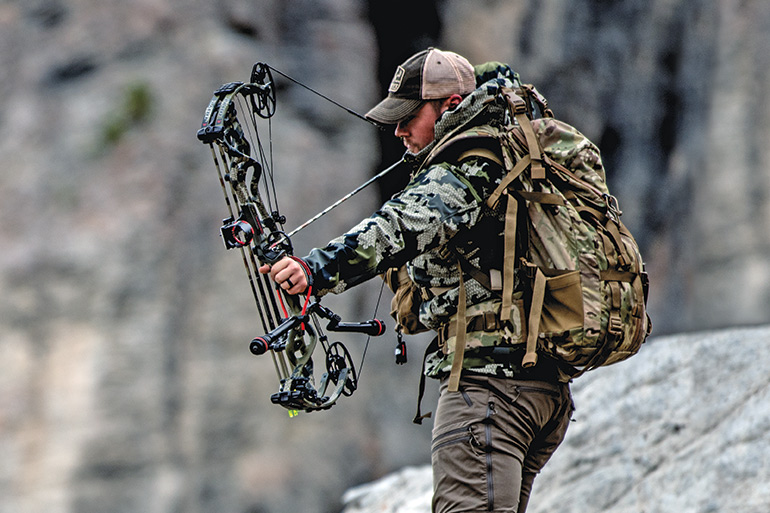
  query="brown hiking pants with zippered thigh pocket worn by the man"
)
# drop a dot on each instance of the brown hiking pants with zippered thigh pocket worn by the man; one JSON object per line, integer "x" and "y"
{"x": 492, "y": 438}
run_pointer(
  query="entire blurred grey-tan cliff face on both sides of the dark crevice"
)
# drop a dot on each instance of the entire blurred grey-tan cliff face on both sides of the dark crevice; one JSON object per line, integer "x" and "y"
{"x": 125, "y": 380}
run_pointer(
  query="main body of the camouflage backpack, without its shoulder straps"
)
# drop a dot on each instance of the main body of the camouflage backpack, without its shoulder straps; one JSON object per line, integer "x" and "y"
{"x": 576, "y": 310}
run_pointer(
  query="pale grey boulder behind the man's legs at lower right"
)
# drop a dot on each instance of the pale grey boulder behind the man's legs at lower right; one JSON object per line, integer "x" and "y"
{"x": 683, "y": 426}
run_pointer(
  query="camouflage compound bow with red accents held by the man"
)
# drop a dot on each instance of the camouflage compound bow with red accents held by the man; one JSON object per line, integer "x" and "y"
{"x": 292, "y": 324}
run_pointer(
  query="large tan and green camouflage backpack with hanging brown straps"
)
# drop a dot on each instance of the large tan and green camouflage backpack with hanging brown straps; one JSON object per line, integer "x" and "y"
{"x": 584, "y": 279}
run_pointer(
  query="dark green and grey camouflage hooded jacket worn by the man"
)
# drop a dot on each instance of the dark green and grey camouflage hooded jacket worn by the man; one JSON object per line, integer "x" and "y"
{"x": 441, "y": 212}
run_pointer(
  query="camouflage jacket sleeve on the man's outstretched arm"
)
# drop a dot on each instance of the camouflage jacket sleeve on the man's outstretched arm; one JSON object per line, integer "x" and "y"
{"x": 433, "y": 207}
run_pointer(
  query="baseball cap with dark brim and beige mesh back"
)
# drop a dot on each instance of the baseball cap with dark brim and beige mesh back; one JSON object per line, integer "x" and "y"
{"x": 431, "y": 74}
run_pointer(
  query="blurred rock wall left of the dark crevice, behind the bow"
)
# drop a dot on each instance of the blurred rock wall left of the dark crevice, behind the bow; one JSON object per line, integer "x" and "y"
{"x": 126, "y": 384}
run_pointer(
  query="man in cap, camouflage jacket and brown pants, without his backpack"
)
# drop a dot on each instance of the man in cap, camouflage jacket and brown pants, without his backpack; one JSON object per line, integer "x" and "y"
{"x": 495, "y": 430}
